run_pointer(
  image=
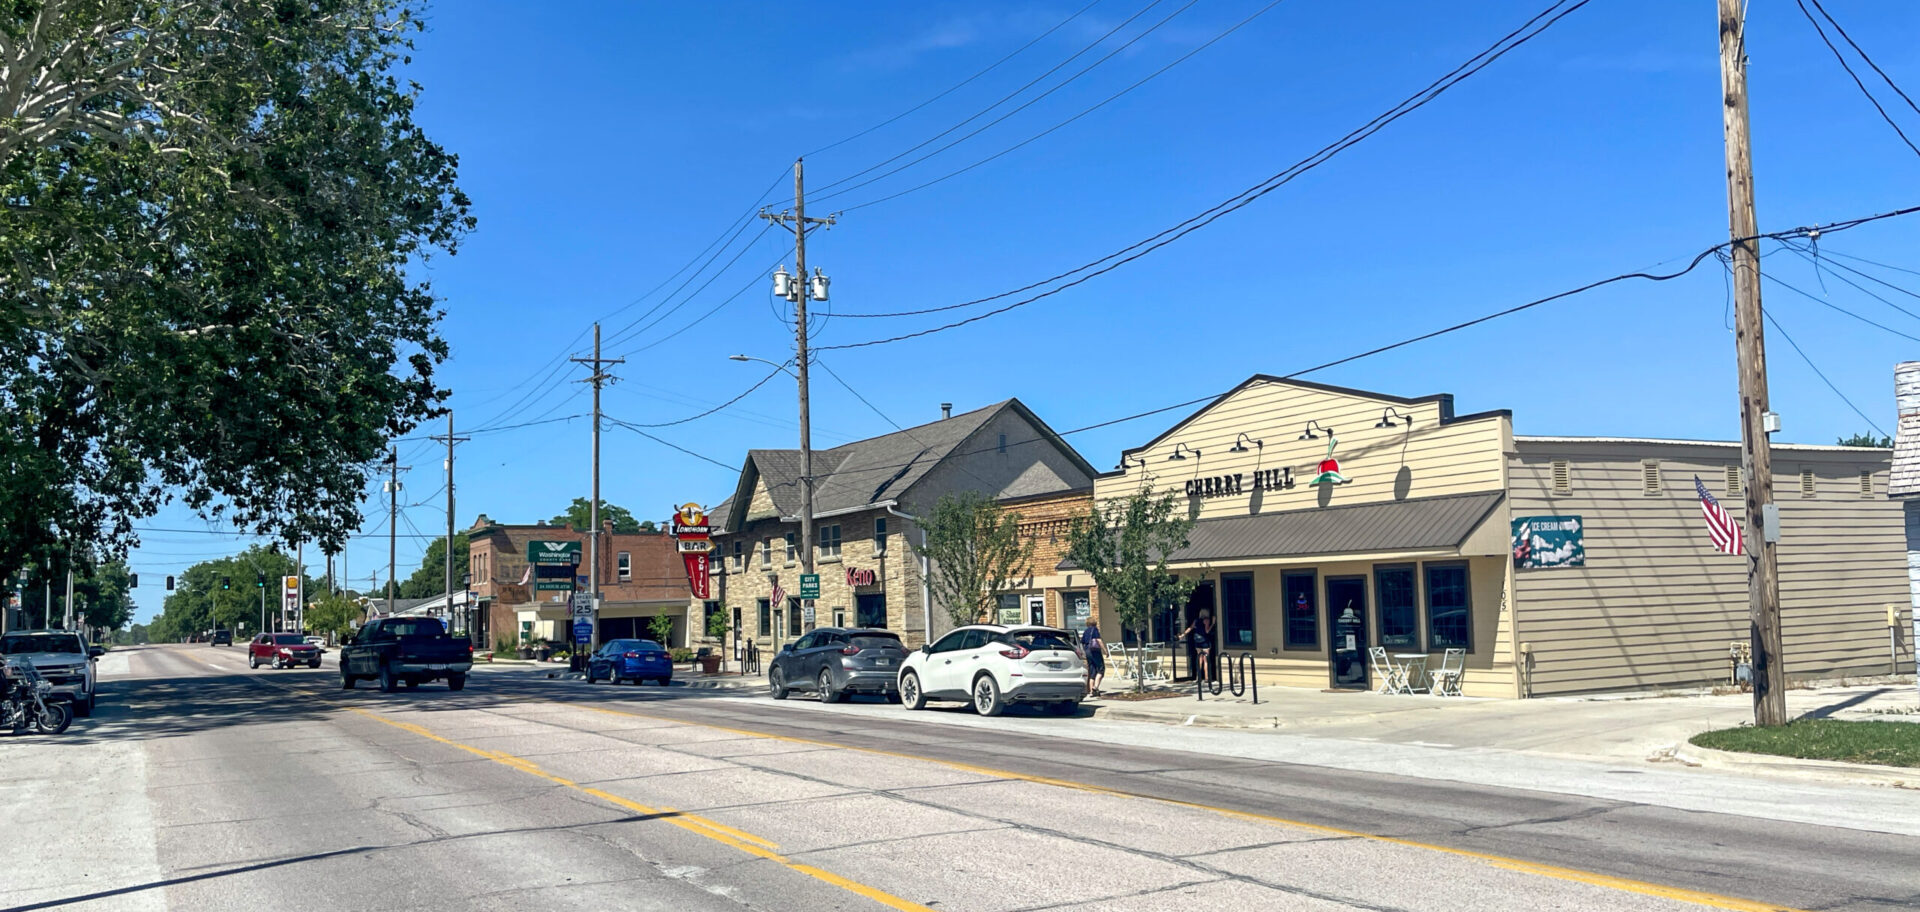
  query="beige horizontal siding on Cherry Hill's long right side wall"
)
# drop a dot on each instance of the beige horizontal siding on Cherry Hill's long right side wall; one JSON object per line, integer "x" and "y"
{"x": 1658, "y": 608}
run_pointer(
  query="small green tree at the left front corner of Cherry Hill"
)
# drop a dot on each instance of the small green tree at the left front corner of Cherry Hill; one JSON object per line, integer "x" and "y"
{"x": 1124, "y": 546}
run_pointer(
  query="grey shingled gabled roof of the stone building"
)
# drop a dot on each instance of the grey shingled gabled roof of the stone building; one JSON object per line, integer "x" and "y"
{"x": 873, "y": 471}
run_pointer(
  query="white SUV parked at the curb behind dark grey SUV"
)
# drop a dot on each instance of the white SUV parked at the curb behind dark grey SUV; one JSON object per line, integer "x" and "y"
{"x": 992, "y": 667}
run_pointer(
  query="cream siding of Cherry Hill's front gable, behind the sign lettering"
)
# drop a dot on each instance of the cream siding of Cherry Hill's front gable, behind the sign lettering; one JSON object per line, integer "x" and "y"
{"x": 1437, "y": 458}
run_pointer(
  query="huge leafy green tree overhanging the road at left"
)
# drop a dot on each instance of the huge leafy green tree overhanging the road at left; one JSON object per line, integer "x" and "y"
{"x": 204, "y": 274}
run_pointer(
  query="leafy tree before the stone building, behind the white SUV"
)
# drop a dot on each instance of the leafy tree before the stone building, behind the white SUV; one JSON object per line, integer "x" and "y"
{"x": 974, "y": 550}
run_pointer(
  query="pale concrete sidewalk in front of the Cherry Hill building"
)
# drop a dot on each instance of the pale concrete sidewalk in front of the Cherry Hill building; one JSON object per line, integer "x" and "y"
{"x": 1598, "y": 729}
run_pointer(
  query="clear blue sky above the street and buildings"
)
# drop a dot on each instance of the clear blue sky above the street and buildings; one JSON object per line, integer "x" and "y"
{"x": 608, "y": 145}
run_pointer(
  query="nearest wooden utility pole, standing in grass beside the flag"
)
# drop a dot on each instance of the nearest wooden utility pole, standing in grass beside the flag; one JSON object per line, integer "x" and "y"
{"x": 1756, "y": 418}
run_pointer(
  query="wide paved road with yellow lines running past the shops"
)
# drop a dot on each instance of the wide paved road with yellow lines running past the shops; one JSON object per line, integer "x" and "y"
{"x": 206, "y": 786}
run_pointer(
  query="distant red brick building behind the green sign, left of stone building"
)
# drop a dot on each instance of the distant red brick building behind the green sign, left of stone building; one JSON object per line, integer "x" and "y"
{"x": 640, "y": 577}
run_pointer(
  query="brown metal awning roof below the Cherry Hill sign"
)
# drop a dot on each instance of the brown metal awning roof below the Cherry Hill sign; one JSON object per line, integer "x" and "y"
{"x": 1414, "y": 525}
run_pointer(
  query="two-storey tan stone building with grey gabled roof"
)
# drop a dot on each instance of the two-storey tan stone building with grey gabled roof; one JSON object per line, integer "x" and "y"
{"x": 867, "y": 500}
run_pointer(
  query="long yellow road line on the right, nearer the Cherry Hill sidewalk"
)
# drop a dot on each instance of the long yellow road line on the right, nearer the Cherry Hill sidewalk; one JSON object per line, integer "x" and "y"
{"x": 1514, "y": 865}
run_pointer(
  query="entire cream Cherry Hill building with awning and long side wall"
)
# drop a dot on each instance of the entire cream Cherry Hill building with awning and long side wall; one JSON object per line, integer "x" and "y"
{"x": 1412, "y": 546}
